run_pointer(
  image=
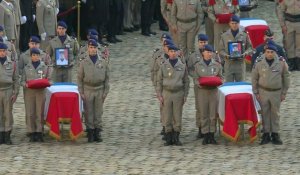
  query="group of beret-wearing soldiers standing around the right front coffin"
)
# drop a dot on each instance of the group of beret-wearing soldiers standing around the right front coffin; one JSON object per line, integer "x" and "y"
{"x": 170, "y": 70}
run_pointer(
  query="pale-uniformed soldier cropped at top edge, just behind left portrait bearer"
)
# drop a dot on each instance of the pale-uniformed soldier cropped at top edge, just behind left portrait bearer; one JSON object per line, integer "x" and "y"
{"x": 46, "y": 11}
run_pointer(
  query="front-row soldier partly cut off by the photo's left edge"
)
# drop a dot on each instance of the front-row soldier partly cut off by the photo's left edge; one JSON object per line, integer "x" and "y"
{"x": 9, "y": 83}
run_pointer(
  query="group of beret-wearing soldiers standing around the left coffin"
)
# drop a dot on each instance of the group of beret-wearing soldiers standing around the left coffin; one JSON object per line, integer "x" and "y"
{"x": 37, "y": 64}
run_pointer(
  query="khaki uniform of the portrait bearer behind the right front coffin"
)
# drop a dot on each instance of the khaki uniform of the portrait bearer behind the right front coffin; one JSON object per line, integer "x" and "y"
{"x": 234, "y": 68}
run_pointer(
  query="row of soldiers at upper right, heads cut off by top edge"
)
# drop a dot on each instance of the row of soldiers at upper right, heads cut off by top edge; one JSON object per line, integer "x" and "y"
{"x": 185, "y": 17}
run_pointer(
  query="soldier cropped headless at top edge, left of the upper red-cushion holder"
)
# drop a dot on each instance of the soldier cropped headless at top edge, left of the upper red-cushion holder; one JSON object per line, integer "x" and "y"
{"x": 186, "y": 16}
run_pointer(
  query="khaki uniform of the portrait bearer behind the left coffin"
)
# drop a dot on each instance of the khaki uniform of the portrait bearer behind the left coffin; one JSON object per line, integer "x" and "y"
{"x": 63, "y": 74}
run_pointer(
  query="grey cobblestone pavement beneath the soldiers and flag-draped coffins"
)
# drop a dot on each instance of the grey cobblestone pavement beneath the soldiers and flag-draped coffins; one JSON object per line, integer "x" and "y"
{"x": 132, "y": 144}
